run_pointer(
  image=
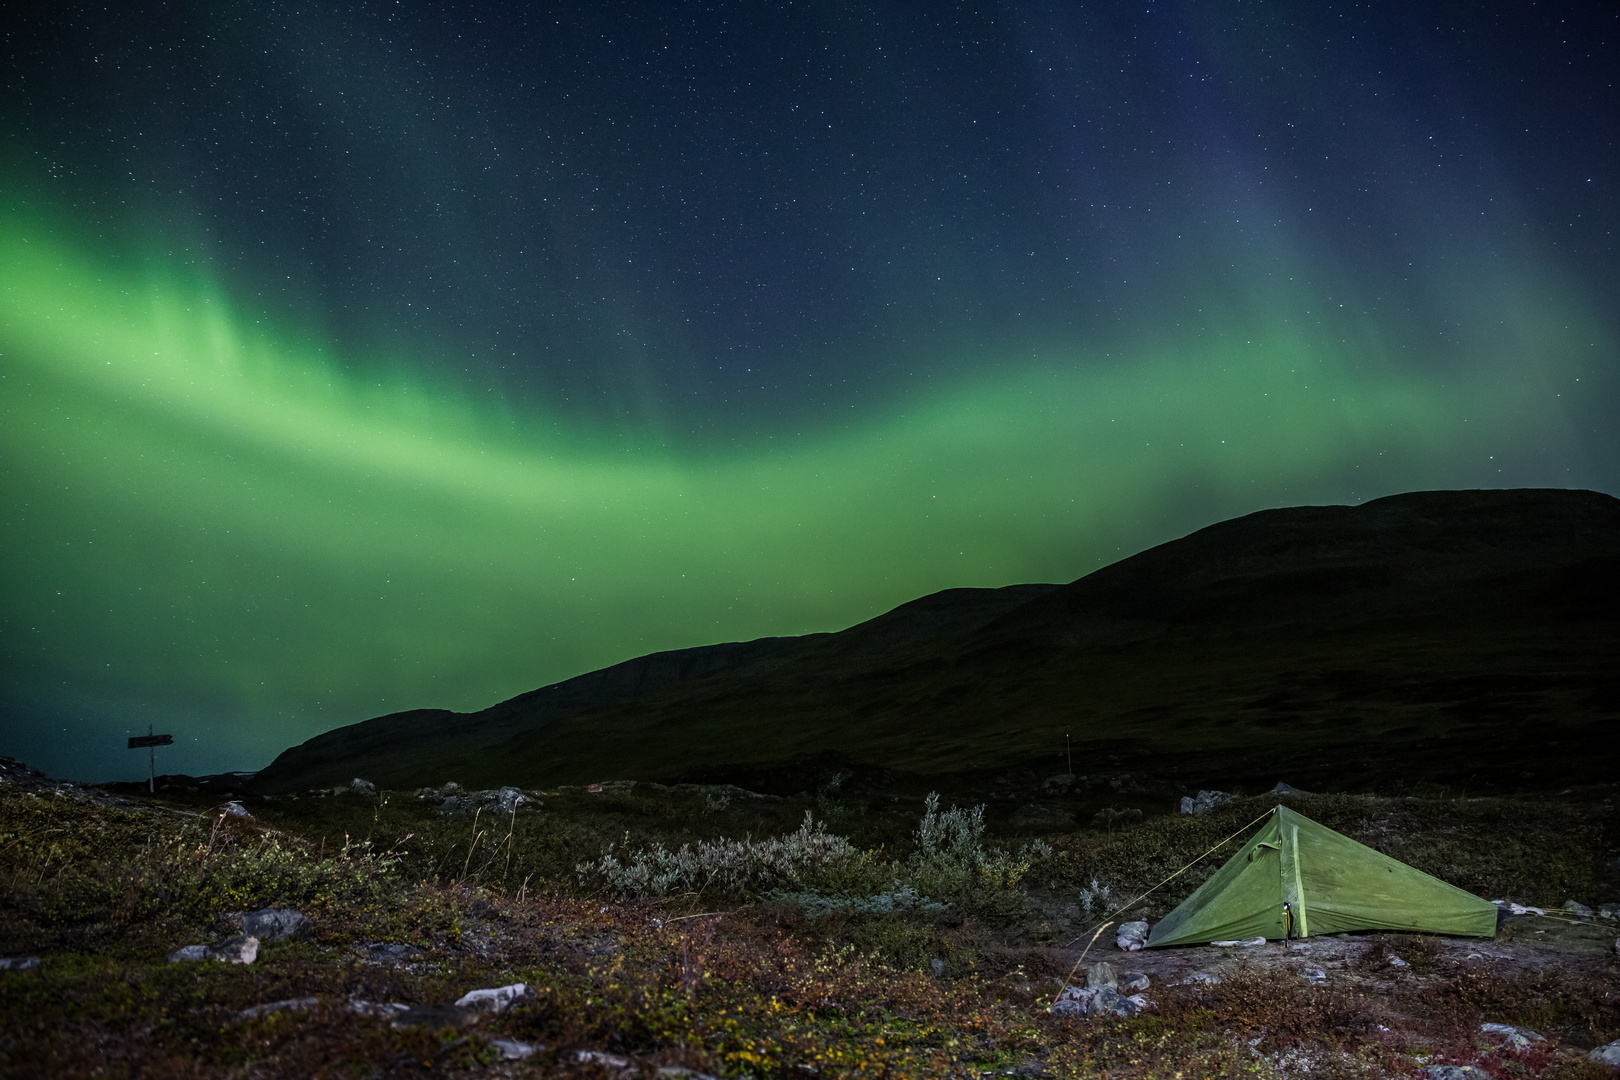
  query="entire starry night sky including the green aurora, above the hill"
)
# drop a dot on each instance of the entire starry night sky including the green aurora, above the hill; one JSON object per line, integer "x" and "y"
{"x": 372, "y": 357}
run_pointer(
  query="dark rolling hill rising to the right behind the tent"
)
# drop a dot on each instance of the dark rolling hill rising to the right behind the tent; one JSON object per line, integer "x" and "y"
{"x": 1459, "y": 637}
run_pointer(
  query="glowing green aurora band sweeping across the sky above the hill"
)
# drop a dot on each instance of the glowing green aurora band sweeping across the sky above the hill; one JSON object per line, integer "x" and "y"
{"x": 213, "y": 525}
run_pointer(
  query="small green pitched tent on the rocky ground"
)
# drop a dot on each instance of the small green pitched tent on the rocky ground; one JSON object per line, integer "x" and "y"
{"x": 1298, "y": 878}
